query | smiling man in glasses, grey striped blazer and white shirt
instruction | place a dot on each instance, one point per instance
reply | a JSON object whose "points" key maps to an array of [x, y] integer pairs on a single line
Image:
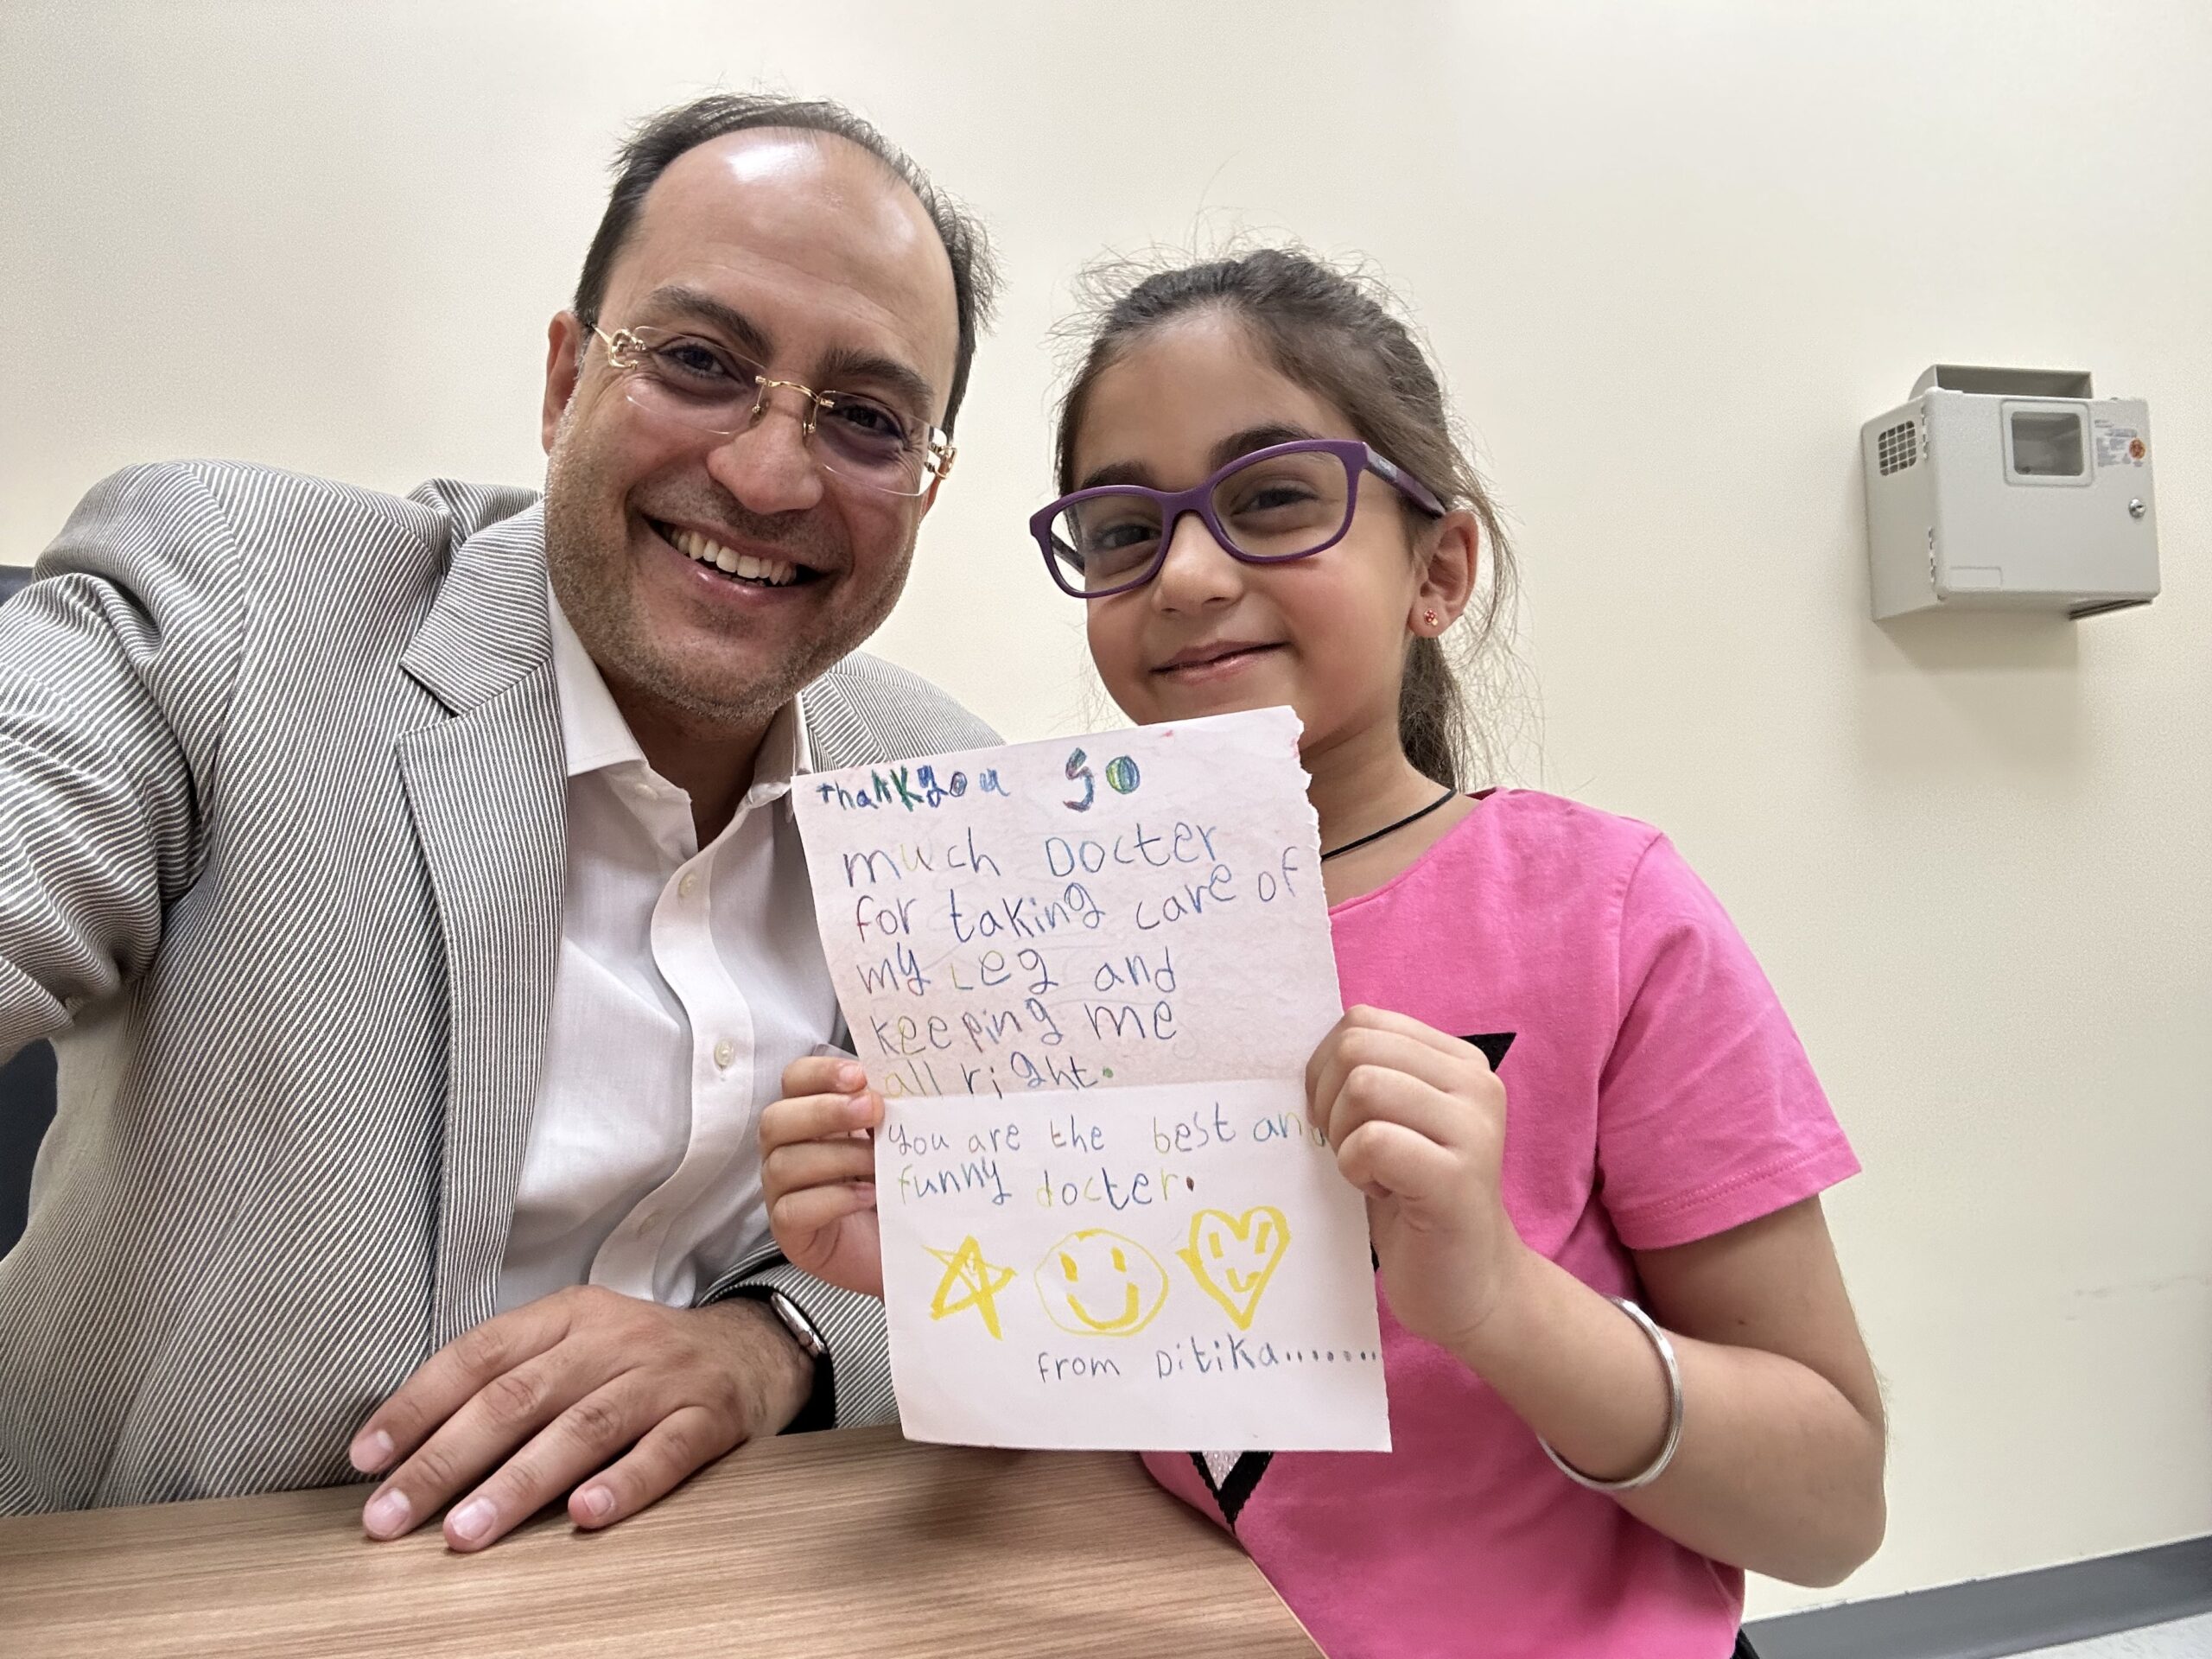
{"points": [[413, 895]]}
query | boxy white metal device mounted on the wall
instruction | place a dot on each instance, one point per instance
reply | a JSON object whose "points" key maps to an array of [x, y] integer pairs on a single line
{"points": [[2010, 490]]}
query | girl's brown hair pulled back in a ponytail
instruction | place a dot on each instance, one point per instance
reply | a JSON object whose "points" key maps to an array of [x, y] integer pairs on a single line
{"points": [[1337, 335]]}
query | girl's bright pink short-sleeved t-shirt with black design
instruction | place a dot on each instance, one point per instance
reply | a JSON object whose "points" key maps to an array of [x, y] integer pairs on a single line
{"points": [[1656, 1094]]}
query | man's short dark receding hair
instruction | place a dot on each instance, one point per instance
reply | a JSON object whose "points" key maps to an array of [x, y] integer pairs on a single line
{"points": [[662, 138]]}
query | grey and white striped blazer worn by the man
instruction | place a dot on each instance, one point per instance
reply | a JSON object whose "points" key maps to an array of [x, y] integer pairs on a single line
{"points": [[282, 839]]}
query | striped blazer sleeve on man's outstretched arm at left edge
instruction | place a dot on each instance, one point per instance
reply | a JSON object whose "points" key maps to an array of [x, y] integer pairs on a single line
{"points": [[116, 674]]}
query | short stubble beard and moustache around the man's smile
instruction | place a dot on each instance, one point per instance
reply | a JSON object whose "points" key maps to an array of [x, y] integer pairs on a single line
{"points": [[592, 578]]}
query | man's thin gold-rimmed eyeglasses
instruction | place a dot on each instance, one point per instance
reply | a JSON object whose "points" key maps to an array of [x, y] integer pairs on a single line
{"points": [[707, 386]]}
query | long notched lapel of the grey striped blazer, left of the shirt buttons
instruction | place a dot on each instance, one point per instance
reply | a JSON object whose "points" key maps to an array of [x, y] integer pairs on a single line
{"points": [[488, 793]]}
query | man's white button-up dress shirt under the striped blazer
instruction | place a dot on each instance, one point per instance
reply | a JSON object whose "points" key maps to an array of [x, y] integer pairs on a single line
{"points": [[689, 981]]}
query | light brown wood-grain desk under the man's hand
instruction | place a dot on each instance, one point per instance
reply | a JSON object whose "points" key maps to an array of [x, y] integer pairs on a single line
{"points": [[846, 1543]]}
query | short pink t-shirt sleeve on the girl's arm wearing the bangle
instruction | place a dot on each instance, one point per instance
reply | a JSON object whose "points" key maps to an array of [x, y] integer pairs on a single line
{"points": [[1709, 1114]]}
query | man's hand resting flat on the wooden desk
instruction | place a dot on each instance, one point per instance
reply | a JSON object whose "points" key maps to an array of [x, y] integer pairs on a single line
{"points": [[585, 1386]]}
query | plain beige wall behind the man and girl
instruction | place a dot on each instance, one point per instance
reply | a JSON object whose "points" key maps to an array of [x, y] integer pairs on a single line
{"points": [[1671, 255]]}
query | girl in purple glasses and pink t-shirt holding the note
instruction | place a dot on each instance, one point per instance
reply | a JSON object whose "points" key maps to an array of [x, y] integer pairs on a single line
{"points": [[1623, 1366]]}
